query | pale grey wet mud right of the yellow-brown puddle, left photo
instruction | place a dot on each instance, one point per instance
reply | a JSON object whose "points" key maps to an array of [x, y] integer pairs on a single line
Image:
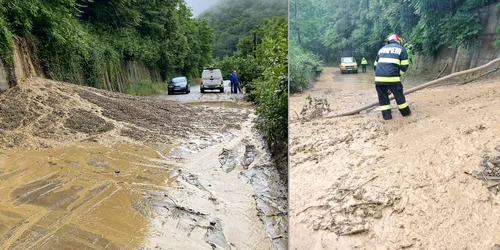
{"points": [[223, 193]]}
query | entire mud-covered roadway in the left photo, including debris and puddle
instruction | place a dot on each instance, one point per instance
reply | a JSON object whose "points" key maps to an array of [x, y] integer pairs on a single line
{"points": [[82, 168]]}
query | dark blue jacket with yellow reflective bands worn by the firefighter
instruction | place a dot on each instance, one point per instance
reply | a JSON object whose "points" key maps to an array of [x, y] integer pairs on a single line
{"points": [[390, 64]]}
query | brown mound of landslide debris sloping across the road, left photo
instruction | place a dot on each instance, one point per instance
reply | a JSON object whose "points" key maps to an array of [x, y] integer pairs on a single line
{"points": [[41, 113]]}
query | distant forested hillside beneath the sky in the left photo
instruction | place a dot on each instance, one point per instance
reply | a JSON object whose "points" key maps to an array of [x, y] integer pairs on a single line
{"points": [[232, 20]]}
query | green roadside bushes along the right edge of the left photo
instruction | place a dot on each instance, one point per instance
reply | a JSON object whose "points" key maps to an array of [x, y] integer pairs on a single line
{"points": [[263, 73]]}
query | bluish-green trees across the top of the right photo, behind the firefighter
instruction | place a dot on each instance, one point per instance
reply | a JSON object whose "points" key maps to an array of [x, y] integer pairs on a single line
{"points": [[326, 27]]}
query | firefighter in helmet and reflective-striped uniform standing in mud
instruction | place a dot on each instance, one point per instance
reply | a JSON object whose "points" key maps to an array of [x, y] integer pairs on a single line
{"points": [[390, 64]]}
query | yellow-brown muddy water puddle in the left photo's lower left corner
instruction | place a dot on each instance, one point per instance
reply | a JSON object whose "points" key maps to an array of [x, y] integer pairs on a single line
{"points": [[85, 196]]}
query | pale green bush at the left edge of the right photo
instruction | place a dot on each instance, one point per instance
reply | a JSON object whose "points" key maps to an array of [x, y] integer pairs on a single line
{"points": [[305, 67]]}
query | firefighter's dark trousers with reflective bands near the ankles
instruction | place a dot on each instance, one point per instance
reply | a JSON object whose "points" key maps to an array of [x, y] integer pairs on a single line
{"points": [[383, 99]]}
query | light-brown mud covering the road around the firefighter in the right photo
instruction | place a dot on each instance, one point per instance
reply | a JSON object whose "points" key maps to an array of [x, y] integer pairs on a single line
{"points": [[360, 182]]}
